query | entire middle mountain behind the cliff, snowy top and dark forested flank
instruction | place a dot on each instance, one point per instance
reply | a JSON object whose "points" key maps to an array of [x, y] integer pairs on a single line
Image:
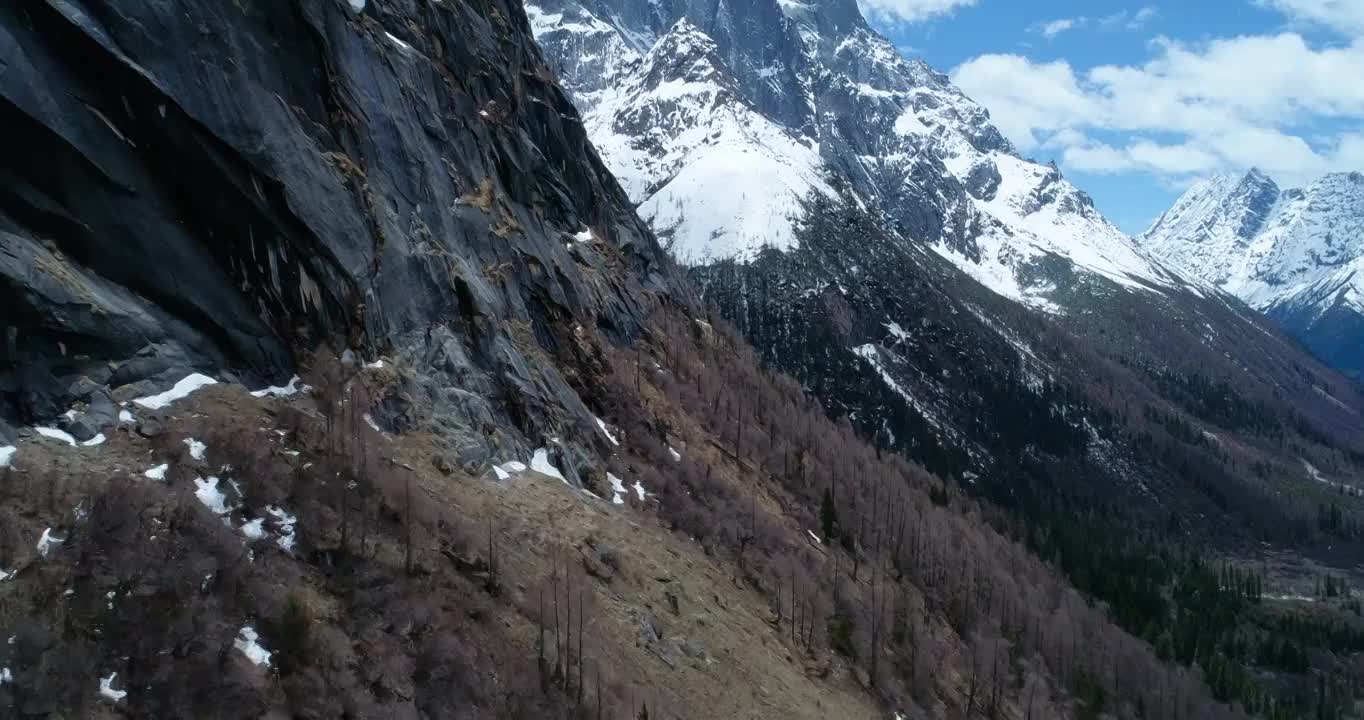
{"points": [[973, 312]]}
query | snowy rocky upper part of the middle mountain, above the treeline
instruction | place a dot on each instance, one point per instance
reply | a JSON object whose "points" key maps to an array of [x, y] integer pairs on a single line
{"points": [[724, 121]]}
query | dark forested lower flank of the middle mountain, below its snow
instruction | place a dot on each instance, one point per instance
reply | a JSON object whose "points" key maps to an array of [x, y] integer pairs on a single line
{"points": [[1138, 479]]}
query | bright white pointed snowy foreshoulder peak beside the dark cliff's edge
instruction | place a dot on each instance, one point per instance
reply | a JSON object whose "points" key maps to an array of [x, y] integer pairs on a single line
{"points": [[713, 175]]}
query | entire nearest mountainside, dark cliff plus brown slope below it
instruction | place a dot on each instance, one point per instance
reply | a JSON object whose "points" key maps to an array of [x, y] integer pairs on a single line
{"points": [[526, 421]]}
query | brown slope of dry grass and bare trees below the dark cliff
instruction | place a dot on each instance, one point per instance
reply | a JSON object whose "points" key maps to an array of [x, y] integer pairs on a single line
{"points": [[414, 592]]}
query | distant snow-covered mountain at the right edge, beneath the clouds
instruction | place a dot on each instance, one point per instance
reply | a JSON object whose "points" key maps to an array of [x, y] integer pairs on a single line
{"points": [[1292, 254]]}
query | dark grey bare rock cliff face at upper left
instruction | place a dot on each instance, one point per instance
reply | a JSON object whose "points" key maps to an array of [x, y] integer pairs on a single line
{"points": [[211, 186]]}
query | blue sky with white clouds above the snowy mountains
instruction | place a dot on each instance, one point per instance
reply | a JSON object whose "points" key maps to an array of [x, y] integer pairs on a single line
{"points": [[1136, 100]]}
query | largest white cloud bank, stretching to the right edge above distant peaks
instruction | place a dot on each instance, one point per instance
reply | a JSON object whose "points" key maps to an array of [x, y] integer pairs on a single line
{"points": [[1190, 110]]}
